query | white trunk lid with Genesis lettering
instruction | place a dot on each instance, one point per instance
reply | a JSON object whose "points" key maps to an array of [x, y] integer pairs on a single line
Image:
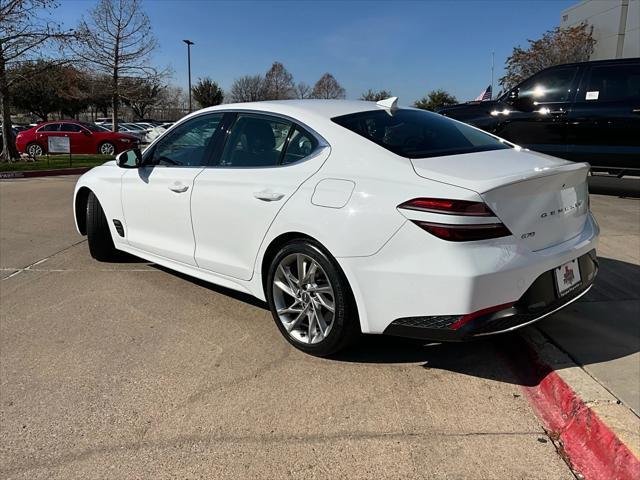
{"points": [[542, 200]]}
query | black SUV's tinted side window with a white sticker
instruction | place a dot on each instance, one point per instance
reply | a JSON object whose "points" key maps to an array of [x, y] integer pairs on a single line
{"points": [[613, 83]]}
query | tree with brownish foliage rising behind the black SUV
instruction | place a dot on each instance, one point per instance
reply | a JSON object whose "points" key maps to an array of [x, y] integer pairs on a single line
{"points": [[557, 46]]}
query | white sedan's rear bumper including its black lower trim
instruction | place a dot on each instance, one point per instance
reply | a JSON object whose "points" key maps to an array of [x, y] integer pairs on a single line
{"points": [[416, 275]]}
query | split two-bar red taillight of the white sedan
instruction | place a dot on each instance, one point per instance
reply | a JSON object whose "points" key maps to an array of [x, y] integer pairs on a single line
{"points": [[462, 232]]}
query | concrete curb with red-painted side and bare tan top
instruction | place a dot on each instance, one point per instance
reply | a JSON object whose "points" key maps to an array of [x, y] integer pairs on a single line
{"points": [[594, 432]]}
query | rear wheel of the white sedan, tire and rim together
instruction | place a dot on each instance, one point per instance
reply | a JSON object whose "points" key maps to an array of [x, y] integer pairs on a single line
{"points": [[310, 299]]}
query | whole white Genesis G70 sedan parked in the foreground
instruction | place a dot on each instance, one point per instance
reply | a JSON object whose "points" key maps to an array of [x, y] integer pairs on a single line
{"points": [[349, 217]]}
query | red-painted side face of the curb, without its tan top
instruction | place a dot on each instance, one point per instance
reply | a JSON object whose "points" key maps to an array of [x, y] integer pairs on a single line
{"points": [[592, 448]]}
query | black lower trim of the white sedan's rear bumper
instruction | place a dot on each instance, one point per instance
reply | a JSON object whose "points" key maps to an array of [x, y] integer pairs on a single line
{"points": [[538, 302]]}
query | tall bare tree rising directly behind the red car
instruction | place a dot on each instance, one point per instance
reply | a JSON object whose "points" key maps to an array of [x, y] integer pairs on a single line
{"points": [[117, 40]]}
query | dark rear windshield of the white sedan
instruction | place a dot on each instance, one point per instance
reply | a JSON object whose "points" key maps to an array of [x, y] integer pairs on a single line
{"points": [[418, 134]]}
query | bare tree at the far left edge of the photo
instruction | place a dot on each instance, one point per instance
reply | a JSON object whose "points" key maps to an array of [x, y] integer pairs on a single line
{"points": [[24, 34]]}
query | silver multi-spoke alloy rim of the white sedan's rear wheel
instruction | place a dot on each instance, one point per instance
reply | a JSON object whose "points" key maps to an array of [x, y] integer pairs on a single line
{"points": [[304, 298]]}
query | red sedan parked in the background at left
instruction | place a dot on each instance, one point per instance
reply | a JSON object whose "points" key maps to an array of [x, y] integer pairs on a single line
{"points": [[83, 138]]}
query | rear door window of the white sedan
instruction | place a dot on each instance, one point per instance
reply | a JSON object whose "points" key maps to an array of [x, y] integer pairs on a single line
{"points": [[255, 141]]}
